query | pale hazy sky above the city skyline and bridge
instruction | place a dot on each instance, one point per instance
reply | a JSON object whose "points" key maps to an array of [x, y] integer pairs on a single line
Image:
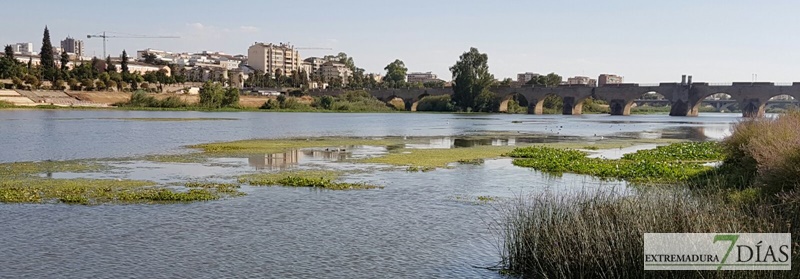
{"points": [[644, 41]]}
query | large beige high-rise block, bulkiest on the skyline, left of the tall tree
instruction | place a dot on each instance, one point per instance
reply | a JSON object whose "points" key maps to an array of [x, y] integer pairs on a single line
{"points": [[274, 59]]}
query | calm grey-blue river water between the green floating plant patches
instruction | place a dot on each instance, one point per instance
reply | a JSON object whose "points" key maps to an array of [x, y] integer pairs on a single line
{"points": [[420, 225]]}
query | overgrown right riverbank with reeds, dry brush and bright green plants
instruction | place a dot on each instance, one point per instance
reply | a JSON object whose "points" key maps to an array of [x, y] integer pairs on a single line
{"points": [[600, 235]]}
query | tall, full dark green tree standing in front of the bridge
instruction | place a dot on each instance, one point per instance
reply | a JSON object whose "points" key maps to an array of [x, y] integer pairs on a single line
{"points": [[471, 77]]}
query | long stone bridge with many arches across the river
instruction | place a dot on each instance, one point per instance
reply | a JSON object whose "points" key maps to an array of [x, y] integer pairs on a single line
{"points": [[684, 98]]}
